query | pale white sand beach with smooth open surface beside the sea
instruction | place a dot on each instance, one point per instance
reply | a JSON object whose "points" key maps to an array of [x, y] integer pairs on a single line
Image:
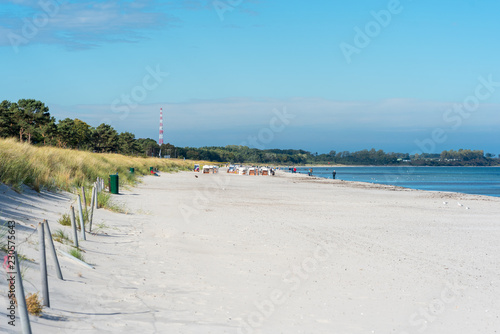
{"points": [[226, 253]]}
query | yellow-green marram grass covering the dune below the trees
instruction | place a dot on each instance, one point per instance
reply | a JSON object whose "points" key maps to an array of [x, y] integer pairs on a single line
{"points": [[55, 168]]}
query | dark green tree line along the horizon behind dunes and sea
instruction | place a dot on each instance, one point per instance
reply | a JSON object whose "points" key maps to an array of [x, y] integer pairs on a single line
{"points": [[30, 121]]}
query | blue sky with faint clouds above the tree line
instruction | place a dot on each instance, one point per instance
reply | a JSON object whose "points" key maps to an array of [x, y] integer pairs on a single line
{"points": [[405, 76]]}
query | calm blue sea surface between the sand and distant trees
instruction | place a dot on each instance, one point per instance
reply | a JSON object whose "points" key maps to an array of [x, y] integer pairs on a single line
{"points": [[469, 180]]}
